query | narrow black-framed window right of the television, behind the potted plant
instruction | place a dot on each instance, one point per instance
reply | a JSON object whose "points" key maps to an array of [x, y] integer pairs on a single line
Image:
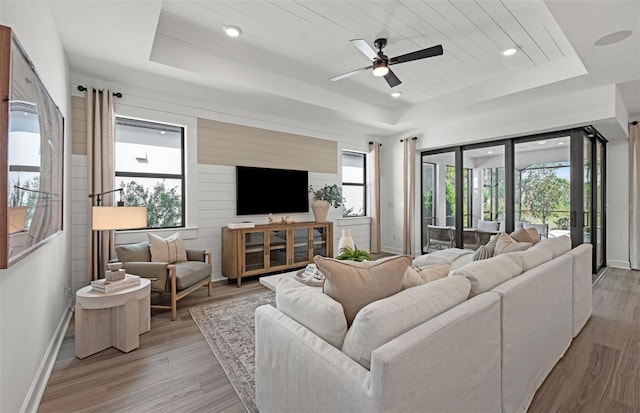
{"points": [[354, 188]]}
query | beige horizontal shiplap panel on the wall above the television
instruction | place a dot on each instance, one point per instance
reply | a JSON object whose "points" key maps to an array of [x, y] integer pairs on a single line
{"points": [[221, 143]]}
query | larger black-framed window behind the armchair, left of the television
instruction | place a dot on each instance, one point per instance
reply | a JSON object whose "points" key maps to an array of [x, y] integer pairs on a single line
{"points": [[149, 163]]}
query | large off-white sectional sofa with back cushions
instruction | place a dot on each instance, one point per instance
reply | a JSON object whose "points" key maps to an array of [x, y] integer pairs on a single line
{"points": [[481, 339]]}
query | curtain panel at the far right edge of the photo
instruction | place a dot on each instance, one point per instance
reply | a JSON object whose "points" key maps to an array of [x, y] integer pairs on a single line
{"points": [[634, 195]]}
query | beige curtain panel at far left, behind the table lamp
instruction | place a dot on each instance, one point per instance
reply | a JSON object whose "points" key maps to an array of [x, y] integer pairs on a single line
{"points": [[101, 174]]}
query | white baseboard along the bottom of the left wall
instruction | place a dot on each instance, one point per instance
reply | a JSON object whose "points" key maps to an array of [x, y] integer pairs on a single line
{"points": [[39, 383]]}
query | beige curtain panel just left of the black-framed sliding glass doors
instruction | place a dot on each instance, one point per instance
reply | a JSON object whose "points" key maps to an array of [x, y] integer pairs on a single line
{"points": [[409, 196]]}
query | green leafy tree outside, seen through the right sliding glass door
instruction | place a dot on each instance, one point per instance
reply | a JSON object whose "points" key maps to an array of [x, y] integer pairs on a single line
{"points": [[544, 195]]}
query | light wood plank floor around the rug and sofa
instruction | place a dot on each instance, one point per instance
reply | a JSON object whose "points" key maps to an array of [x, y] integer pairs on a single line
{"points": [[175, 371]]}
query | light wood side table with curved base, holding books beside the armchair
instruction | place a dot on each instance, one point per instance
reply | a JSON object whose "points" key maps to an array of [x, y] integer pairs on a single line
{"points": [[111, 320]]}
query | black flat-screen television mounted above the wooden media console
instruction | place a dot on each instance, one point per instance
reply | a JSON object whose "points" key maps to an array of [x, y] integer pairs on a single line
{"points": [[271, 191]]}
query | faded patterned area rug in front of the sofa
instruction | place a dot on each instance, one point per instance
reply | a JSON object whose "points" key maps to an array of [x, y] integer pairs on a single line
{"points": [[228, 327]]}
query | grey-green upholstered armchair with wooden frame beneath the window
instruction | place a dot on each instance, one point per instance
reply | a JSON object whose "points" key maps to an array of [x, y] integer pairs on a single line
{"points": [[177, 279]]}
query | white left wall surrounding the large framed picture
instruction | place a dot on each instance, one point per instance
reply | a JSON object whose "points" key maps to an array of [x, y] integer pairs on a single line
{"points": [[35, 293]]}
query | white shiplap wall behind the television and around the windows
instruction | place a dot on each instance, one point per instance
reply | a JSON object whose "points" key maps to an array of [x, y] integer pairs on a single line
{"points": [[210, 188]]}
